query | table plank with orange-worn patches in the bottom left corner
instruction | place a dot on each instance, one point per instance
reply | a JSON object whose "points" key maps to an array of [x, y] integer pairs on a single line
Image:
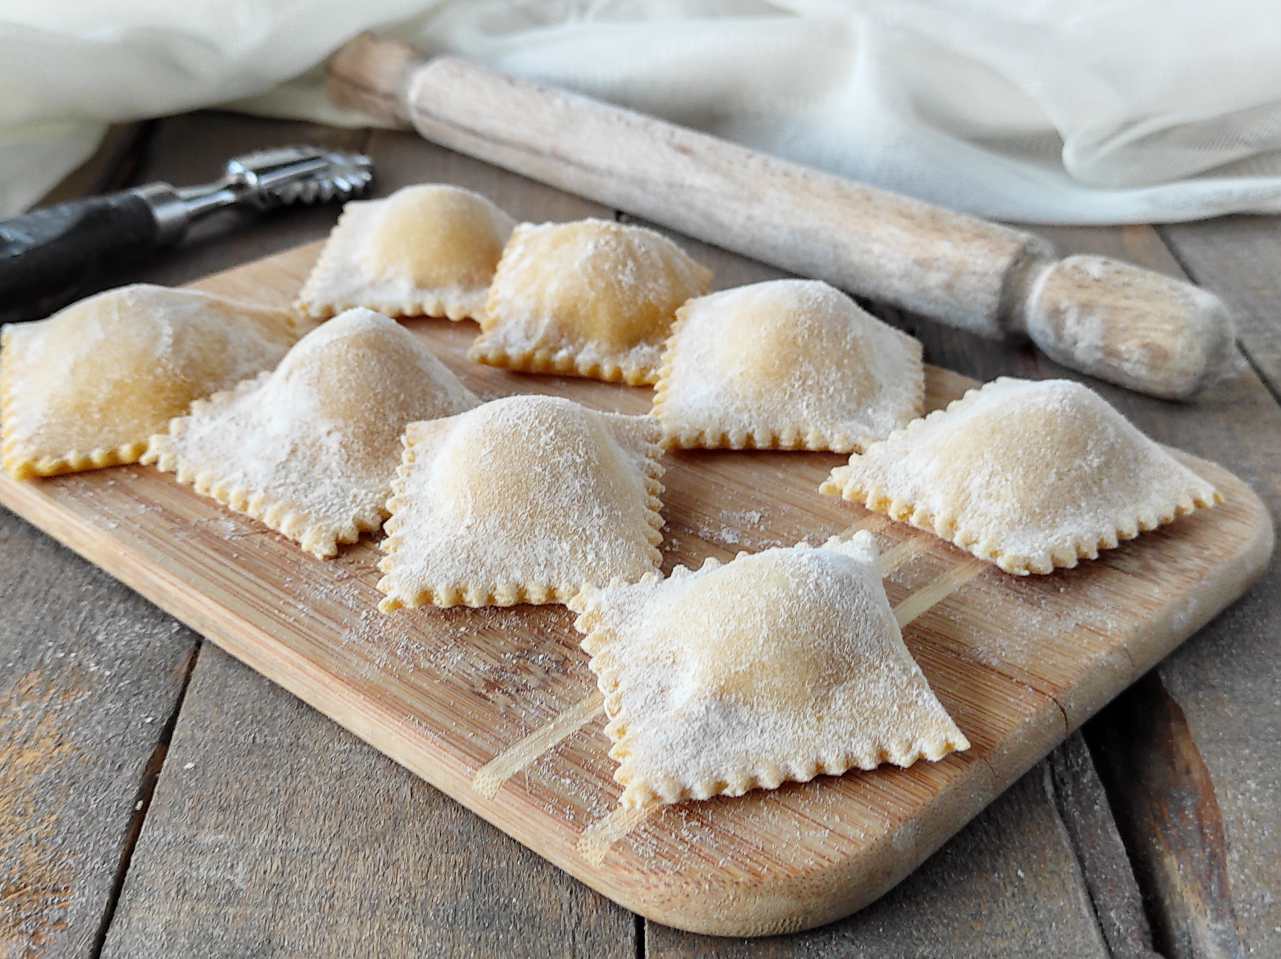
{"points": [[90, 677]]}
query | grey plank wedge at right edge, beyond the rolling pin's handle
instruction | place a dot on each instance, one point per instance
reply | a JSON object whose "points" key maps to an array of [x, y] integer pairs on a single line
{"points": [[1239, 258]]}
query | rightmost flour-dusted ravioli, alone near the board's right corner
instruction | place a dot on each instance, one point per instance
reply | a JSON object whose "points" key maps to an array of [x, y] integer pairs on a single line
{"points": [[1027, 476]]}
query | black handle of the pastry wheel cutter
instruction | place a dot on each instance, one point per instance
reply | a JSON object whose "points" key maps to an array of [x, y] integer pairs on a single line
{"points": [[52, 257]]}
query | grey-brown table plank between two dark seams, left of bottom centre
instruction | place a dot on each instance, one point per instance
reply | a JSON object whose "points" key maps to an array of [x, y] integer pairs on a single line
{"points": [[276, 833]]}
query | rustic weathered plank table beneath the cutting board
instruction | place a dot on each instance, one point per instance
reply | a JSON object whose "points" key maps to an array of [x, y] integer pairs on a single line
{"points": [[159, 800]]}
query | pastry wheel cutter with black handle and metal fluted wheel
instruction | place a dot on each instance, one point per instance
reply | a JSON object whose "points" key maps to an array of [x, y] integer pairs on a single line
{"points": [[51, 257]]}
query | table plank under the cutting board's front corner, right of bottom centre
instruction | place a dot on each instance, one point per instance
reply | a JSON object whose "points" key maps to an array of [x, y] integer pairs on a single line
{"points": [[1006, 887]]}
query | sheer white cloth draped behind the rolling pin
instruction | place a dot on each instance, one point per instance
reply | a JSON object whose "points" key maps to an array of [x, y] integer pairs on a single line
{"points": [[1096, 112]]}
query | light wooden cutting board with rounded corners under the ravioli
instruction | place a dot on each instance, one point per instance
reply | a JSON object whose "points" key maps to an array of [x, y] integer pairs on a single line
{"points": [[498, 707]]}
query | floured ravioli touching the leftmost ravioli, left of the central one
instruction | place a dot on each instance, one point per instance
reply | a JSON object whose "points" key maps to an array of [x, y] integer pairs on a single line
{"points": [[312, 447]]}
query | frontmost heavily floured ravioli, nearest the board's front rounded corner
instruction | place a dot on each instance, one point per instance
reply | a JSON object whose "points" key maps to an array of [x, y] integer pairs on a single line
{"points": [[778, 666]]}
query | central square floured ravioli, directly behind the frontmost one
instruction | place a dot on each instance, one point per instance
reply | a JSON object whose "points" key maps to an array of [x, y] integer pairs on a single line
{"points": [[523, 500]]}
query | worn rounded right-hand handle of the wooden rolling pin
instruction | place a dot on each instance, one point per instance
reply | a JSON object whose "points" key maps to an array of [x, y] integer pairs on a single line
{"points": [[1127, 326]]}
